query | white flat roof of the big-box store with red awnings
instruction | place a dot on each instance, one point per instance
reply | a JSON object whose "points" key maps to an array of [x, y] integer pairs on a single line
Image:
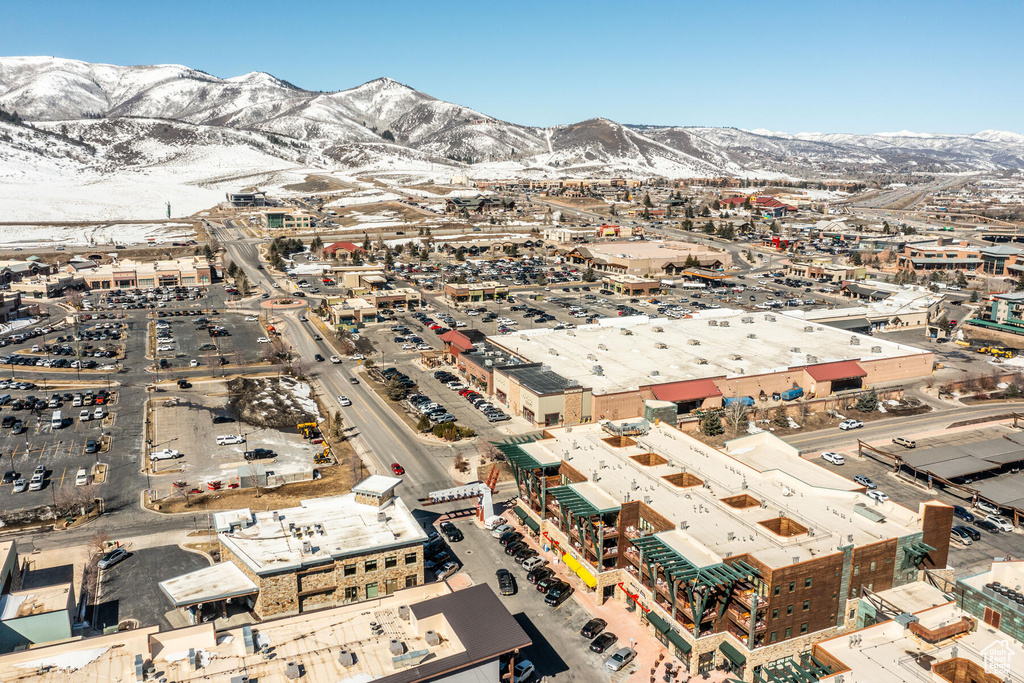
{"points": [[713, 344]]}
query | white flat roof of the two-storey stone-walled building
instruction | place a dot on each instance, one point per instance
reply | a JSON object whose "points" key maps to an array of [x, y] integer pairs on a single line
{"points": [[334, 528]]}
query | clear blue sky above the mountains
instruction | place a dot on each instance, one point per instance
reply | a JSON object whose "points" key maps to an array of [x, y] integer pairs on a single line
{"points": [[832, 67]]}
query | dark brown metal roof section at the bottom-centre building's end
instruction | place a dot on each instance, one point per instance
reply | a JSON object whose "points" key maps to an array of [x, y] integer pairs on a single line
{"points": [[482, 623]]}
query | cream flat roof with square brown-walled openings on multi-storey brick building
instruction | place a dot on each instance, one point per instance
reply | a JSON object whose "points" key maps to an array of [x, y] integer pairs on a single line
{"points": [[728, 503]]}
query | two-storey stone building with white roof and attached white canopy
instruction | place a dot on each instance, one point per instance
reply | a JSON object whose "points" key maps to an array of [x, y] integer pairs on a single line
{"points": [[328, 552]]}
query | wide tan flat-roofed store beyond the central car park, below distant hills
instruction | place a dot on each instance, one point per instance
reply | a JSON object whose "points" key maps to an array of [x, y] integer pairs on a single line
{"points": [[649, 259]]}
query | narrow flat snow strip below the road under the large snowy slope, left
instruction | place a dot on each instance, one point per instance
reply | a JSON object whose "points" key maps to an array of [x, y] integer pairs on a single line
{"points": [[119, 234]]}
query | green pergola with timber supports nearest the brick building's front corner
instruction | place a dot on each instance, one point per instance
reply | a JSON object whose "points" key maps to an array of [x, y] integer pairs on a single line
{"points": [[700, 584]]}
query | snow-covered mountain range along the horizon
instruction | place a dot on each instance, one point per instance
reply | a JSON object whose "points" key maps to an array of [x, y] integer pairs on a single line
{"points": [[105, 117]]}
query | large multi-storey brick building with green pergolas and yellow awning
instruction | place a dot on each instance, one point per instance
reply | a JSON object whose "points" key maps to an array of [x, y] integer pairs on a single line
{"points": [[737, 558]]}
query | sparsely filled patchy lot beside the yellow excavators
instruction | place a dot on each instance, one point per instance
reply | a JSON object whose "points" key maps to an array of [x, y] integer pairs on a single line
{"points": [[184, 421]]}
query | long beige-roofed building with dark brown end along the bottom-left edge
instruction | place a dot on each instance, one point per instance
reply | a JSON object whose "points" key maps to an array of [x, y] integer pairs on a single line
{"points": [[420, 635]]}
